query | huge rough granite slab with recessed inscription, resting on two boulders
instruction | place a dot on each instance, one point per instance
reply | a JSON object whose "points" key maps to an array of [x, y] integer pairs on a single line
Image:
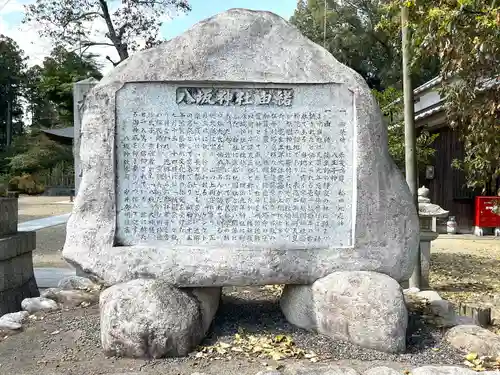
{"points": [[259, 50]]}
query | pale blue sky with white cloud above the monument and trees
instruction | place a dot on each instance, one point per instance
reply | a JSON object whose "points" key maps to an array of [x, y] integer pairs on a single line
{"points": [[11, 15]]}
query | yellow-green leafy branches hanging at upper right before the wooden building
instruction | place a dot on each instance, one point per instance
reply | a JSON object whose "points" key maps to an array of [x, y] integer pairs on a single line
{"points": [[465, 34]]}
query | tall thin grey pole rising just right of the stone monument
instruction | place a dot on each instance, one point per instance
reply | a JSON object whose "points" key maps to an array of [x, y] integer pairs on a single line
{"points": [[410, 139]]}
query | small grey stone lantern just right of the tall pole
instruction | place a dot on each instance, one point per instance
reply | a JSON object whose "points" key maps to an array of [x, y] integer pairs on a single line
{"points": [[428, 213]]}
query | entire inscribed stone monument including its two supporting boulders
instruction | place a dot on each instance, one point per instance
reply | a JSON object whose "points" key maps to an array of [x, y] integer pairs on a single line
{"points": [[239, 153]]}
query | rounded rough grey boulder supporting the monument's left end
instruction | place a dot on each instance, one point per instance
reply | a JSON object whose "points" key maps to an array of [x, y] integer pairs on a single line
{"points": [[149, 318]]}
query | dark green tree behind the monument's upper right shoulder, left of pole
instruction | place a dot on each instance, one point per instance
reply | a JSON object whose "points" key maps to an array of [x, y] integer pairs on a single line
{"points": [[353, 38]]}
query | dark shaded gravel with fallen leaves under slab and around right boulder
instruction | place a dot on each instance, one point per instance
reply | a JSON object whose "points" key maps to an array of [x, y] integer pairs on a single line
{"points": [[255, 311]]}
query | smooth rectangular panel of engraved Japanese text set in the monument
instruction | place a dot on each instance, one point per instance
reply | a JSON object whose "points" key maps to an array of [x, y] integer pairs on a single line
{"points": [[247, 165]]}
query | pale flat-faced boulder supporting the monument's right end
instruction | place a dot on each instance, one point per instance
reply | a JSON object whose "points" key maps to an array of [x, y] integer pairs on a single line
{"points": [[365, 308]]}
